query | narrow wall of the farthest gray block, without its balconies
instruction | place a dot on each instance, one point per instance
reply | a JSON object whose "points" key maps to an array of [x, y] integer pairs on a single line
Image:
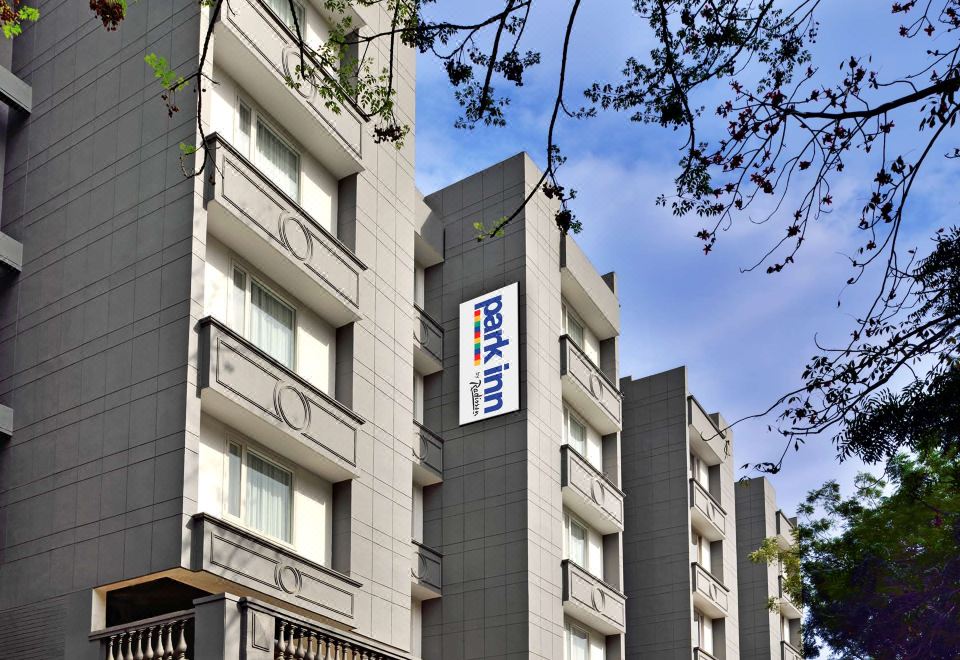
{"points": [[760, 632]]}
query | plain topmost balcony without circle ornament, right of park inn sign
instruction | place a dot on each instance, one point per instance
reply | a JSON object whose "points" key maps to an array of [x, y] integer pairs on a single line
{"points": [[587, 290]]}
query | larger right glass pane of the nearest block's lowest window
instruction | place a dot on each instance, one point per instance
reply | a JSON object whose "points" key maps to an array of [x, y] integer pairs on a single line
{"points": [[268, 498]]}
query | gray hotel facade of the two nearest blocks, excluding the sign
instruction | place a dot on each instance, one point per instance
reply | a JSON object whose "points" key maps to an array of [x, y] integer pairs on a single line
{"points": [[229, 422]]}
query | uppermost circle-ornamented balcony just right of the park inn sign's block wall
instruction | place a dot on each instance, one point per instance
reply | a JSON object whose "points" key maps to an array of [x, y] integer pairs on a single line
{"points": [[588, 389]]}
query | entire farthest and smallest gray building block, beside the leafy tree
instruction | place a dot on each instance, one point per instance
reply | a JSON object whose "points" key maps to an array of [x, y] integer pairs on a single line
{"points": [[765, 631]]}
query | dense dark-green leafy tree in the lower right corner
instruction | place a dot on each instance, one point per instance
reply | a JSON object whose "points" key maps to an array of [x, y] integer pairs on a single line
{"points": [[881, 569]]}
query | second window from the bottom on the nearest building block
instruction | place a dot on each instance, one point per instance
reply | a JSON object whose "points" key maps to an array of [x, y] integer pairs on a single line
{"points": [[263, 318]]}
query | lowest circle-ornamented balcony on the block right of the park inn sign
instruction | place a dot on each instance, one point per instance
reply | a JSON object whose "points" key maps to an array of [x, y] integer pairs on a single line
{"points": [[592, 601]]}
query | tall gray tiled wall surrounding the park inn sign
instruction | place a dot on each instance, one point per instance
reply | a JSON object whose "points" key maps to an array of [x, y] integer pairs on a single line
{"points": [[497, 516]]}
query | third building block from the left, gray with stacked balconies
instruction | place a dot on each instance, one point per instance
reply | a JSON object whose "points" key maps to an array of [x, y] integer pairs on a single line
{"points": [[680, 539]]}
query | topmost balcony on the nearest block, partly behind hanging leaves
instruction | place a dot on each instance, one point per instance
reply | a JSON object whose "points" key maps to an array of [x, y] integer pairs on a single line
{"points": [[259, 52]]}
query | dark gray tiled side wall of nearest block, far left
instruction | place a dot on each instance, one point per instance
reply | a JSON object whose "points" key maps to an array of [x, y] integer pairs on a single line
{"points": [[94, 331]]}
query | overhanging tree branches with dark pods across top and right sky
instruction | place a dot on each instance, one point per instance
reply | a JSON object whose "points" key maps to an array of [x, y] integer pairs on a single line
{"points": [[792, 129]]}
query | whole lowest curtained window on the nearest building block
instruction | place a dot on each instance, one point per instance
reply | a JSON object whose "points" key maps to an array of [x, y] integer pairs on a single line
{"points": [[259, 492]]}
